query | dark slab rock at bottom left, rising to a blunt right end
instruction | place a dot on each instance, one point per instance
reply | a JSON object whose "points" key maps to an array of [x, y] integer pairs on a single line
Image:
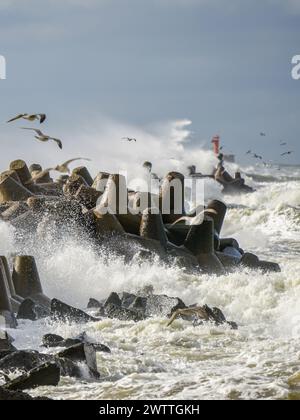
{"points": [[47, 374]]}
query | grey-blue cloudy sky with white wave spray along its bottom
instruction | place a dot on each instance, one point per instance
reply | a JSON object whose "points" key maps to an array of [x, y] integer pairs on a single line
{"points": [[152, 69]]}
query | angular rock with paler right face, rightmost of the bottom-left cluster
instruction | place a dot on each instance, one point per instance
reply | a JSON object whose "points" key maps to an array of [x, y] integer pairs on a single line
{"points": [[82, 353]]}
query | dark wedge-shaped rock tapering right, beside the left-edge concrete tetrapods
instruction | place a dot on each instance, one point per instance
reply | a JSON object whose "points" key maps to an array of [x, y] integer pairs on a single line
{"points": [[62, 311]]}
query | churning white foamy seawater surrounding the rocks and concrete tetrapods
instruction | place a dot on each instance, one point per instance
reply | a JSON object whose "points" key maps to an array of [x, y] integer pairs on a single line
{"points": [[149, 360]]}
